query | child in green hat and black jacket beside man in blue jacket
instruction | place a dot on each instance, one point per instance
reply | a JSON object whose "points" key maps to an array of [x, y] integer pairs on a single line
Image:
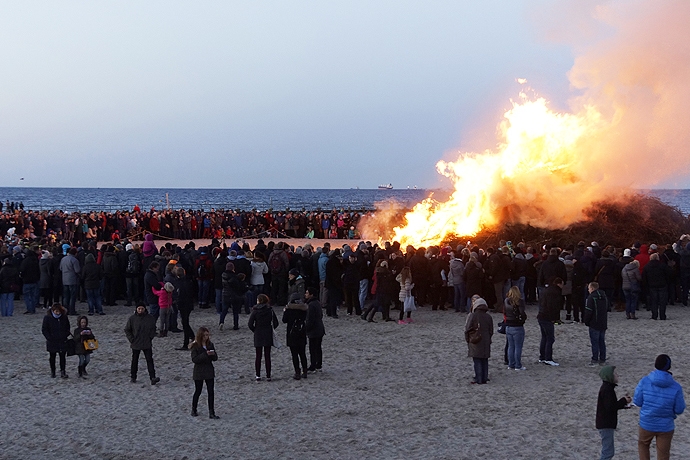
{"points": [[607, 410]]}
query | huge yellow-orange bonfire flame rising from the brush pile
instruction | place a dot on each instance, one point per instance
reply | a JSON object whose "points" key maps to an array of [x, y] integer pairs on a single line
{"points": [[538, 164]]}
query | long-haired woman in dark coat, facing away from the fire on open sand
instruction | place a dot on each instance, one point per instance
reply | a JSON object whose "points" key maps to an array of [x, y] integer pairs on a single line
{"points": [[203, 355]]}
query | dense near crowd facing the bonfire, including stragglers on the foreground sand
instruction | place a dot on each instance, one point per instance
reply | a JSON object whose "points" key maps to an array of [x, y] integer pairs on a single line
{"points": [[166, 282]]}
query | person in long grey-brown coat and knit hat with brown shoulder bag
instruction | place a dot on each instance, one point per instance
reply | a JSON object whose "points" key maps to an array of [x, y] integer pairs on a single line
{"points": [[480, 352]]}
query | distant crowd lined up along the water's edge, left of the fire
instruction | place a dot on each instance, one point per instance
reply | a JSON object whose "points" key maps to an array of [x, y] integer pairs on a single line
{"points": [[77, 227]]}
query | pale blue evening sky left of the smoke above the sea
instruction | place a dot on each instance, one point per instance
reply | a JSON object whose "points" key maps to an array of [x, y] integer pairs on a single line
{"points": [[224, 94]]}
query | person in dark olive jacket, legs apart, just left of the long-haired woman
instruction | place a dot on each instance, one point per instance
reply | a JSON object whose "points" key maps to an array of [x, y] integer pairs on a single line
{"points": [[140, 331]]}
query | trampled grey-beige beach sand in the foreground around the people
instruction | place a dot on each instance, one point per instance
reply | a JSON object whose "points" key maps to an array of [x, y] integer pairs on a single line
{"points": [[386, 391]]}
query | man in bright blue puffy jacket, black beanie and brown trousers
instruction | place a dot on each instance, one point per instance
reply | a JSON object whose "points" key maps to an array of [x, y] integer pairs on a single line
{"points": [[660, 399]]}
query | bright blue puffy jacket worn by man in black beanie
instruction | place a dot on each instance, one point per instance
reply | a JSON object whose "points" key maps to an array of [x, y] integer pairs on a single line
{"points": [[660, 399]]}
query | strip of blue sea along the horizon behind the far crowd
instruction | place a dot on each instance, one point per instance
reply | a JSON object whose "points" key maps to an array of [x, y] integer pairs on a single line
{"points": [[111, 199]]}
